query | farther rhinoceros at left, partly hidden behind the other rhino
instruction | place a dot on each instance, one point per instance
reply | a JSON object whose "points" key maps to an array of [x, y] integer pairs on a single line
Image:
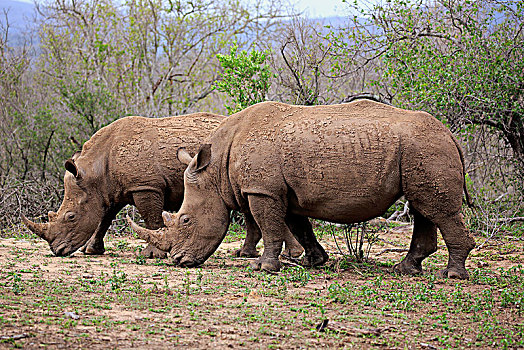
{"points": [[131, 161]]}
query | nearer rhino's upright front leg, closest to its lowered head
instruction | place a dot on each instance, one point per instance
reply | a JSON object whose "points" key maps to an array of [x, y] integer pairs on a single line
{"points": [[269, 215]]}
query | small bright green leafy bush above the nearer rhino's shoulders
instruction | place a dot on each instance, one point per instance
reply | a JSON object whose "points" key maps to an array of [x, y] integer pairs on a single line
{"points": [[245, 77]]}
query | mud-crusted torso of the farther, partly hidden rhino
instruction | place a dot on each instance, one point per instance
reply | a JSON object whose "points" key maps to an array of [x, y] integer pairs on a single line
{"points": [[140, 153]]}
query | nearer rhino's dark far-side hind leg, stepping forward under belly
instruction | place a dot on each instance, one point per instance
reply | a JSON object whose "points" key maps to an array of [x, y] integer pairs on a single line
{"points": [[423, 244]]}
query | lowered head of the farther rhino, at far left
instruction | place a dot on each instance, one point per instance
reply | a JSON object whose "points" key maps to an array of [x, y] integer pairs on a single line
{"points": [[79, 215]]}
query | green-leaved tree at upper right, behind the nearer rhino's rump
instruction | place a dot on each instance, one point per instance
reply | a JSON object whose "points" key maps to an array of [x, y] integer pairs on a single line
{"points": [[461, 60]]}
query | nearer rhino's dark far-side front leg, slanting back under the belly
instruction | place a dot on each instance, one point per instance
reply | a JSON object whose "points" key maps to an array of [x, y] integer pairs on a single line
{"points": [[303, 232]]}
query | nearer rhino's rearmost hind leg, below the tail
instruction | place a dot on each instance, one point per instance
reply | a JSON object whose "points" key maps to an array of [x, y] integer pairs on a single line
{"points": [[459, 243]]}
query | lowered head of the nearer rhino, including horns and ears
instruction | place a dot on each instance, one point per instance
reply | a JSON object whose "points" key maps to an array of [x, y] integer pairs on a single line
{"points": [[195, 232]]}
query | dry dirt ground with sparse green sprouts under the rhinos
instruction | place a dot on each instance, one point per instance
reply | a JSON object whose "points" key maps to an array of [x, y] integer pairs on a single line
{"points": [[120, 300]]}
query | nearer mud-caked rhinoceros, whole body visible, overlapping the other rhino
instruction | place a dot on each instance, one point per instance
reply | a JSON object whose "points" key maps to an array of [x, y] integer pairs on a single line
{"points": [[342, 163]]}
